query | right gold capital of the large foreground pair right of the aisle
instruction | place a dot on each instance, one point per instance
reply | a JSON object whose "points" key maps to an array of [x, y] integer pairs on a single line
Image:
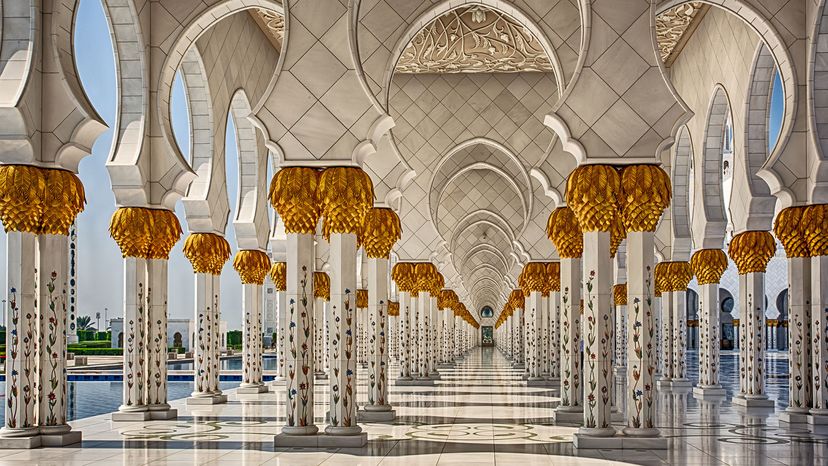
{"points": [[646, 192]]}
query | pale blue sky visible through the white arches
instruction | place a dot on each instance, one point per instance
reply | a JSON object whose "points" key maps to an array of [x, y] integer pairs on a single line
{"points": [[100, 281]]}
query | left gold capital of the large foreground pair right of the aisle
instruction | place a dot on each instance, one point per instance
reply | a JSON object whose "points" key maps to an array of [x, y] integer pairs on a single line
{"points": [[592, 192]]}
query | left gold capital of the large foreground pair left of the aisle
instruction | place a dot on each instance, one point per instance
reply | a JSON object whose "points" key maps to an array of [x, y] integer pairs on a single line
{"points": [[292, 194]]}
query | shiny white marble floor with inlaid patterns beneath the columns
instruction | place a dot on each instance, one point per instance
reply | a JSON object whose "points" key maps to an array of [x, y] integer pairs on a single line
{"points": [[479, 413]]}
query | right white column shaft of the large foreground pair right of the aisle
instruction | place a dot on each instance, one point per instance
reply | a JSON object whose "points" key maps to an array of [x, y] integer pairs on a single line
{"points": [[641, 339]]}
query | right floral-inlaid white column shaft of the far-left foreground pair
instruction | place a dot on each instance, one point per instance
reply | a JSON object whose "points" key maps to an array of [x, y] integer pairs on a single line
{"points": [[53, 278]]}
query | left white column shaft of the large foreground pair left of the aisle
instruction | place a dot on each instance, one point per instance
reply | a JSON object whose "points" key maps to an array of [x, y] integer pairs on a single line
{"points": [[299, 345]]}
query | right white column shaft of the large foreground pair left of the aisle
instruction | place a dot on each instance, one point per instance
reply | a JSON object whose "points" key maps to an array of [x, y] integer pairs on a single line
{"points": [[343, 376]]}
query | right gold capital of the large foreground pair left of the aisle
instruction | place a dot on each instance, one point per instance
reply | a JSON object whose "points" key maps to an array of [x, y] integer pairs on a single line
{"points": [[345, 195]]}
